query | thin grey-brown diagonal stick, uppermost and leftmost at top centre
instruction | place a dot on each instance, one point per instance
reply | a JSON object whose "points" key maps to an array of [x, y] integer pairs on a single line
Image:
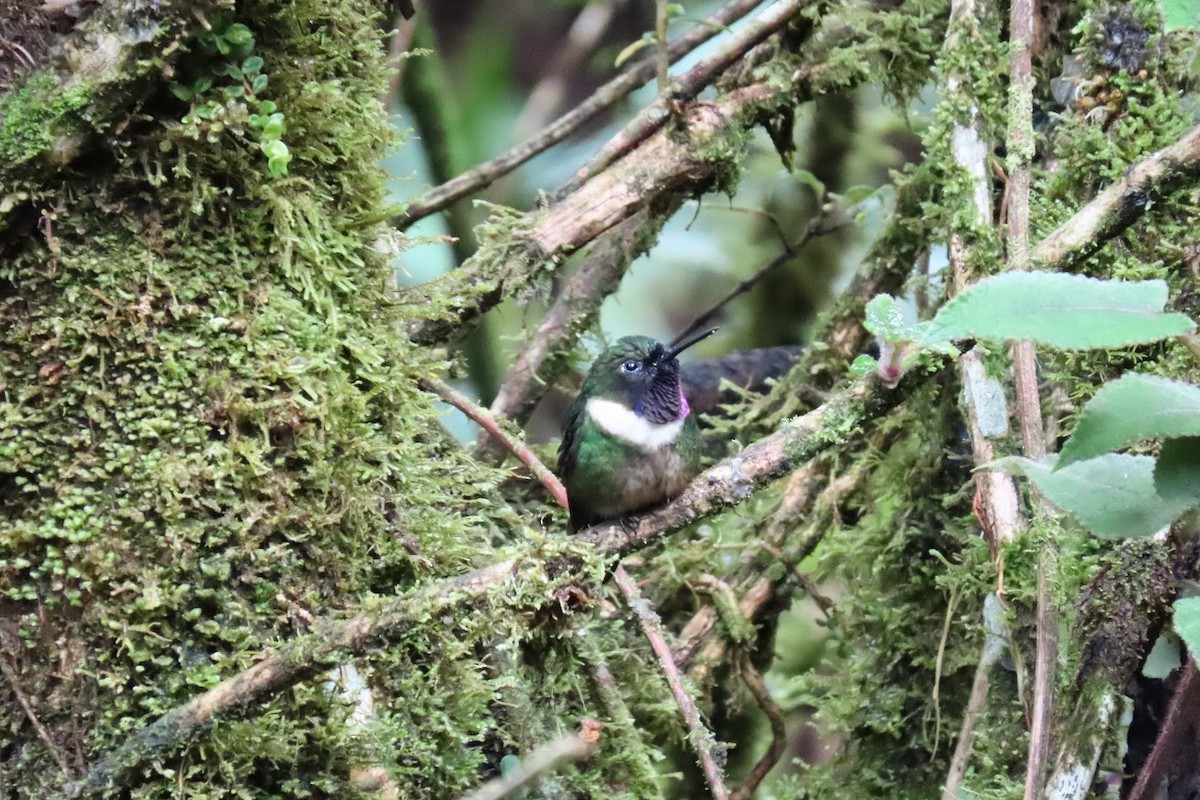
{"points": [[605, 98]]}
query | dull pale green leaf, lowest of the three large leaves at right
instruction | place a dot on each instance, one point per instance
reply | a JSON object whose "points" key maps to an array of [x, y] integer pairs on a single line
{"points": [[1113, 496]]}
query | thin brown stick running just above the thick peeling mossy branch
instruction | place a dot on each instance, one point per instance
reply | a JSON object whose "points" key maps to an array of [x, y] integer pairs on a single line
{"points": [[688, 87]]}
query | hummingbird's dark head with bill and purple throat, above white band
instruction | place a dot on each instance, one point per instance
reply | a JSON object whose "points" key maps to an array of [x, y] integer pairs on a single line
{"points": [[643, 375]]}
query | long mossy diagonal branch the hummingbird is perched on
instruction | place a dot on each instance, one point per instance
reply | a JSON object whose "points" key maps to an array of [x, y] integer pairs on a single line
{"points": [[724, 485]]}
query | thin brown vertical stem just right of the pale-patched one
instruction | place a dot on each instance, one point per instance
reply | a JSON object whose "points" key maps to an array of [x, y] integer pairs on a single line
{"points": [[1029, 405]]}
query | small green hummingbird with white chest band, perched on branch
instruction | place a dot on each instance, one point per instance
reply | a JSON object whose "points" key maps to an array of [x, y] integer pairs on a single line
{"points": [[629, 440]]}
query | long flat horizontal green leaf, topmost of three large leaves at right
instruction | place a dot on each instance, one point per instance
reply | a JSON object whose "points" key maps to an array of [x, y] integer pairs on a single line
{"points": [[1070, 312]]}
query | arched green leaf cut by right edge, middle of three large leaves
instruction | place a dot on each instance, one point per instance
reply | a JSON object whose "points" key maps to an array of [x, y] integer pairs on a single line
{"points": [[1131, 410]]}
